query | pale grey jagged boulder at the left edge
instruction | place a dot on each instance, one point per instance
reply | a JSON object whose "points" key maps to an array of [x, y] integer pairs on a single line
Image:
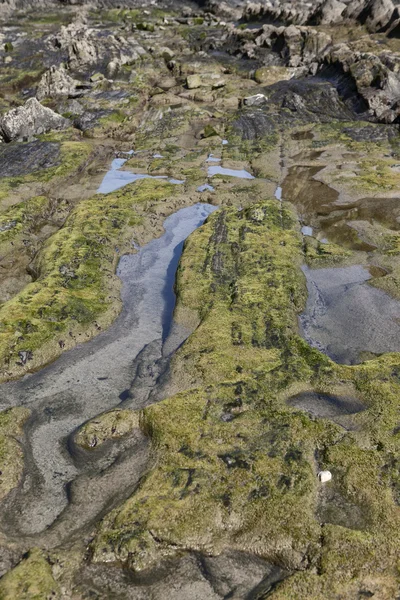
{"points": [[24, 122]]}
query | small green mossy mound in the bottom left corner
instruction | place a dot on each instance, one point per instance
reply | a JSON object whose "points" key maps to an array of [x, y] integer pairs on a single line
{"points": [[32, 579]]}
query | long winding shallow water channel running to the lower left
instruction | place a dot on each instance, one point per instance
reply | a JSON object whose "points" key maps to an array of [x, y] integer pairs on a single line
{"points": [[92, 378]]}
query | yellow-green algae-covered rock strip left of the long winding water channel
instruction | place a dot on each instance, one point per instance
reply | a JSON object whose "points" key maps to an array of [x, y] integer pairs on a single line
{"points": [[75, 285]]}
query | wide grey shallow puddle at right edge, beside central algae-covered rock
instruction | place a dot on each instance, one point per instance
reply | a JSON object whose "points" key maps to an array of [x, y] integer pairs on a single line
{"points": [[346, 317]]}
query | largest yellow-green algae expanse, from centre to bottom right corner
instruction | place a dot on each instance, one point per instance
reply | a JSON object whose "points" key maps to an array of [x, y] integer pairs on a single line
{"points": [[233, 465]]}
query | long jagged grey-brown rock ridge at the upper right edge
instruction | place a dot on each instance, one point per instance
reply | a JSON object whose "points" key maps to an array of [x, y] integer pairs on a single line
{"points": [[368, 81]]}
